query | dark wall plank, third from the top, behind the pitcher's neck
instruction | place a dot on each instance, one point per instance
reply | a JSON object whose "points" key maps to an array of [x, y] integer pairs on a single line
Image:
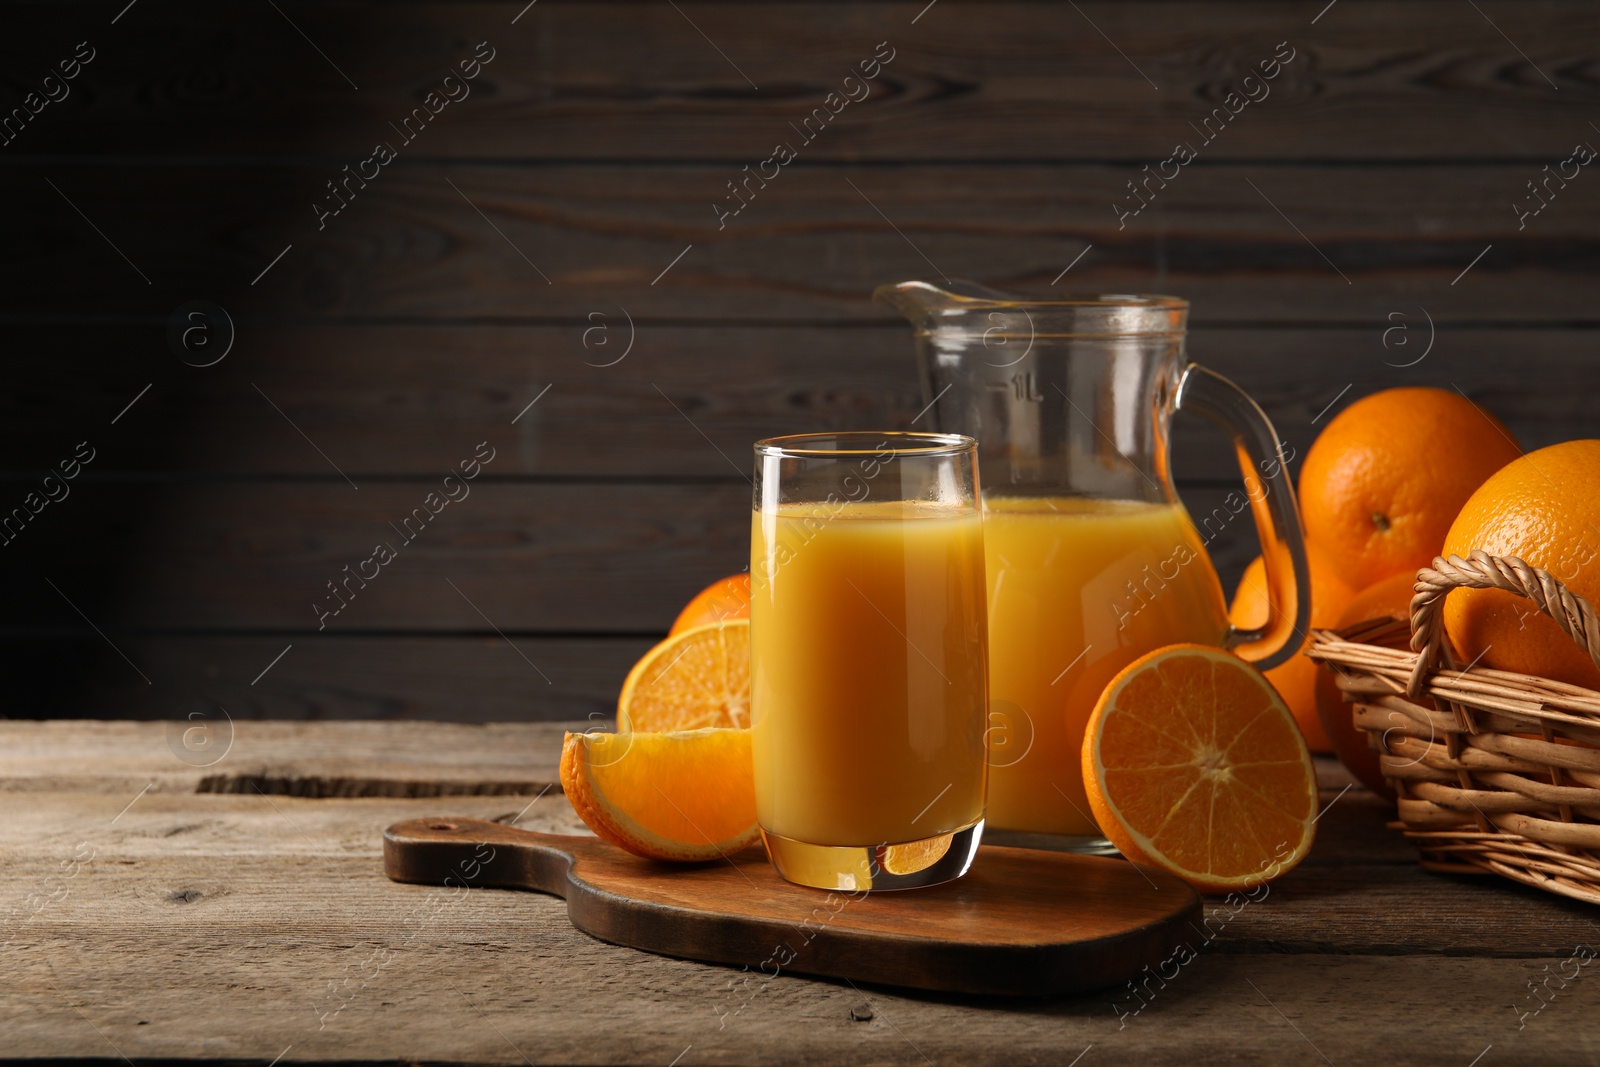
{"points": [[687, 402]]}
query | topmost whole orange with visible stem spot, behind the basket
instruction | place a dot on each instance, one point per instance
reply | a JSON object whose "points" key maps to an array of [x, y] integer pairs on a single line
{"points": [[1383, 482]]}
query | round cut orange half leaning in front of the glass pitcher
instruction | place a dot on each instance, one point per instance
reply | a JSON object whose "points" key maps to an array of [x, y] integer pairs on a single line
{"points": [[1194, 764]]}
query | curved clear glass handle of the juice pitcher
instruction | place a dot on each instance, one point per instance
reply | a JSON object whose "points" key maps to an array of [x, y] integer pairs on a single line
{"points": [[1273, 505]]}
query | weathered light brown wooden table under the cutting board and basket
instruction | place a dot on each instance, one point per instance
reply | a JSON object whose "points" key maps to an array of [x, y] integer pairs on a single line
{"points": [[156, 909]]}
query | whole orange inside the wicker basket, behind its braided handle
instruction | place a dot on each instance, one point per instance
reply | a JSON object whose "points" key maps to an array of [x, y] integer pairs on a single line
{"points": [[1543, 510]]}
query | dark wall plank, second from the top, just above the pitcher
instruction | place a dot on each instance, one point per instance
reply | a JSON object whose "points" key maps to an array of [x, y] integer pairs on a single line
{"points": [[562, 242]]}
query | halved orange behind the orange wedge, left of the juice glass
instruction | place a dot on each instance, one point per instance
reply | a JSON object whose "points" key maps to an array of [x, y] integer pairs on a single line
{"points": [[695, 679]]}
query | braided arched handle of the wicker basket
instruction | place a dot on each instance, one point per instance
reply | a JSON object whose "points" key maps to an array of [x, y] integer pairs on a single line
{"points": [[1482, 570]]}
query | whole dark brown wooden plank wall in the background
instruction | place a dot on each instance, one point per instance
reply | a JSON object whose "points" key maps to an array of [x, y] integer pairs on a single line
{"points": [[458, 286]]}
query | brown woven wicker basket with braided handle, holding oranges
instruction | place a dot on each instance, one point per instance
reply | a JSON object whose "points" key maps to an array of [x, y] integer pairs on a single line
{"points": [[1495, 772]]}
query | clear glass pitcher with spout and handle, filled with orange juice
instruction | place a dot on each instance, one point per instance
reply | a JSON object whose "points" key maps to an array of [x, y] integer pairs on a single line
{"points": [[1092, 559]]}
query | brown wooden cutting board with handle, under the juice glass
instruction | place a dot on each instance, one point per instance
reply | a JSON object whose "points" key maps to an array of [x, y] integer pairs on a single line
{"points": [[1022, 924]]}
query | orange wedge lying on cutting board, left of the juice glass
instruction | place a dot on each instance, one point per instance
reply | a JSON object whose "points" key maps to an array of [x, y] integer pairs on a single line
{"points": [[665, 796]]}
